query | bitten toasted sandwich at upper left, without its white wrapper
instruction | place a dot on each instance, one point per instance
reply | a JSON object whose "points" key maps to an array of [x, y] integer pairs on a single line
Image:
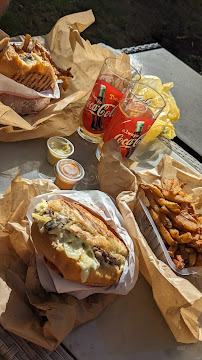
{"points": [[30, 64]]}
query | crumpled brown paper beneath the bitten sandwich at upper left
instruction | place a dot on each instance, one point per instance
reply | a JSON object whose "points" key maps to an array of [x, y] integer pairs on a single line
{"points": [[68, 49]]}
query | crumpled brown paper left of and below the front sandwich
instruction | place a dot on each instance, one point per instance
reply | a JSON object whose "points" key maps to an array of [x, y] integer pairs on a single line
{"points": [[26, 309]]}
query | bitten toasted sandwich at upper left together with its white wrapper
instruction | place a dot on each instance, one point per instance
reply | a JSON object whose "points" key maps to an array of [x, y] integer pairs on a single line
{"points": [[28, 76]]}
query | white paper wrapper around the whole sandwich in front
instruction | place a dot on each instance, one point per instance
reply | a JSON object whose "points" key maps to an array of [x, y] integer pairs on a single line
{"points": [[100, 203]]}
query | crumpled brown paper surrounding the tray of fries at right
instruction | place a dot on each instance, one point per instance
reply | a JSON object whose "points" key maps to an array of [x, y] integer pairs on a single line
{"points": [[178, 299]]}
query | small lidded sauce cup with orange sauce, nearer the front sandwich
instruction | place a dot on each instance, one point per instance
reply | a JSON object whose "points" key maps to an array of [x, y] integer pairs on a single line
{"points": [[68, 172]]}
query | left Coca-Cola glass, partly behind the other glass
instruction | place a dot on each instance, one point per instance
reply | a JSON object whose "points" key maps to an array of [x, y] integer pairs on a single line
{"points": [[113, 81]]}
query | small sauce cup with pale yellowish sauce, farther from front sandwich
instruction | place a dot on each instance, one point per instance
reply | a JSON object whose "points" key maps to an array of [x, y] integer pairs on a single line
{"points": [[58, 148]]}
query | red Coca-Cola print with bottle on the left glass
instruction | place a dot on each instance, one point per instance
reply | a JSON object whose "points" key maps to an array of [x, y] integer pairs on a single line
{"points": [[99, 110]]}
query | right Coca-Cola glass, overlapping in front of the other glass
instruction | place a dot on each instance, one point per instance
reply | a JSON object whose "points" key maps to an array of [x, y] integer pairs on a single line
{"points": [[137, 111]]}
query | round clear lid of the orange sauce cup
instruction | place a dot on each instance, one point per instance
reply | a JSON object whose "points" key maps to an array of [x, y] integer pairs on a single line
{"points": [[70, 170]]}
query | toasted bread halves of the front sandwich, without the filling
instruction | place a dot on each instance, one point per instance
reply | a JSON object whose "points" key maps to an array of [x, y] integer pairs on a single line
{"points": [[92, 231]]}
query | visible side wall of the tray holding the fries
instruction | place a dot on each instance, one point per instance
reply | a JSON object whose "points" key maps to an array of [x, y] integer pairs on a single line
{"points": [[154, 239]]}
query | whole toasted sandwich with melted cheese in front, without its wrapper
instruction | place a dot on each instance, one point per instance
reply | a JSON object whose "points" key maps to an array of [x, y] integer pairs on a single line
{"points": [[77, 244]]}
